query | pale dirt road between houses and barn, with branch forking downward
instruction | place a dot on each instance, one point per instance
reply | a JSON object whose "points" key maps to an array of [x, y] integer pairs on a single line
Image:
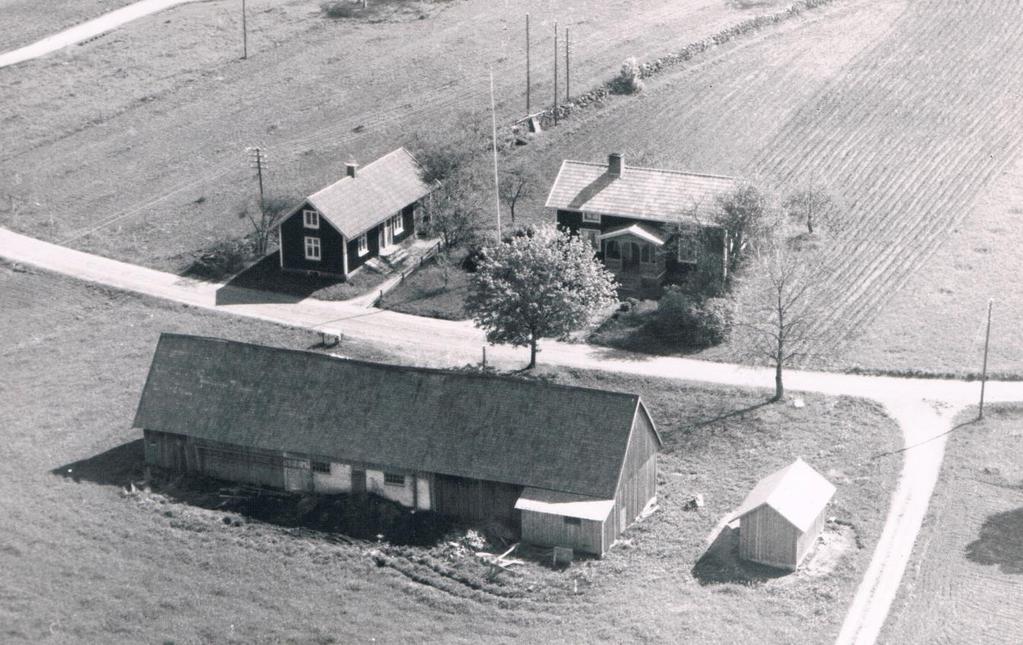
{"points": [[924, 408]]}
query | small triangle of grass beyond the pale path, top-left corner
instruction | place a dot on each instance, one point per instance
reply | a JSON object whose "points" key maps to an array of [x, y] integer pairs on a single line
{"points": [[25, 22]]}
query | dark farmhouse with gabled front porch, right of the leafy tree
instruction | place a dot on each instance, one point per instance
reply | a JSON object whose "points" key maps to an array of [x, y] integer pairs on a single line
{"points": [[649, 227]]}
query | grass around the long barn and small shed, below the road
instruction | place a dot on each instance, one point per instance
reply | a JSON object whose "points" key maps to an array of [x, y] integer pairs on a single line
{"points": [[80, 562]]}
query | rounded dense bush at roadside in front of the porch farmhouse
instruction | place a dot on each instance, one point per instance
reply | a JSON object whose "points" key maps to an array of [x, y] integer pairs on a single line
{"points": [[691, 321]]}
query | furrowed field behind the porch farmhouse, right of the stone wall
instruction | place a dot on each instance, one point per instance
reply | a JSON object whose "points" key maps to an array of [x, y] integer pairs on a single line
{"points": [[908, 112]]}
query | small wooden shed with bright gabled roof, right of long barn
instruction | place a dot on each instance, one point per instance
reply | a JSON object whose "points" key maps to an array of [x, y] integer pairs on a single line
{"points": [[783, 517]]}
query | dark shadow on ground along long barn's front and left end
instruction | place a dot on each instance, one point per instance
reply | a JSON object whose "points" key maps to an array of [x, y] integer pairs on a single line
{"points": [[346, 517]]}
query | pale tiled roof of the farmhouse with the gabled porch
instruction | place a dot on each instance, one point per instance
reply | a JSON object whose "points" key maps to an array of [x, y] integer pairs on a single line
{"points": [[640, 193]]}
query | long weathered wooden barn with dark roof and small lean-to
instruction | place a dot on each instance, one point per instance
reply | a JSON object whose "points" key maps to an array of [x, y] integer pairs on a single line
{"points": [[565, 466]]}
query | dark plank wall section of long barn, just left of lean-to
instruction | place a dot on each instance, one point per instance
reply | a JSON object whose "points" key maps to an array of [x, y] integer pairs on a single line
{"points": [[476, 500]]}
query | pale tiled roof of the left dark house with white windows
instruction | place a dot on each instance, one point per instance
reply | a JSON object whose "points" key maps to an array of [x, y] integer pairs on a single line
{"points": [[354, 205]]}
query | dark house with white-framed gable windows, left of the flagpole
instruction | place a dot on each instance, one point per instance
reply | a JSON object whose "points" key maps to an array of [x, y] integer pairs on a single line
{"points": [[365, 216]]}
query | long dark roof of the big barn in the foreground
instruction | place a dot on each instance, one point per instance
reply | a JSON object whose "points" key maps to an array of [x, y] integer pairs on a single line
{"points": [[500, 429]]}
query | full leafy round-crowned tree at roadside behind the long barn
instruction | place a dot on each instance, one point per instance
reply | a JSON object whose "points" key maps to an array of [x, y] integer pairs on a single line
{"points": [[544, 284]]}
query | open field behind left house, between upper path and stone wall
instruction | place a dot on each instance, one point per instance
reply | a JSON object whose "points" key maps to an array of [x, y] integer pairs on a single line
{"points": [[135, 147]]}
